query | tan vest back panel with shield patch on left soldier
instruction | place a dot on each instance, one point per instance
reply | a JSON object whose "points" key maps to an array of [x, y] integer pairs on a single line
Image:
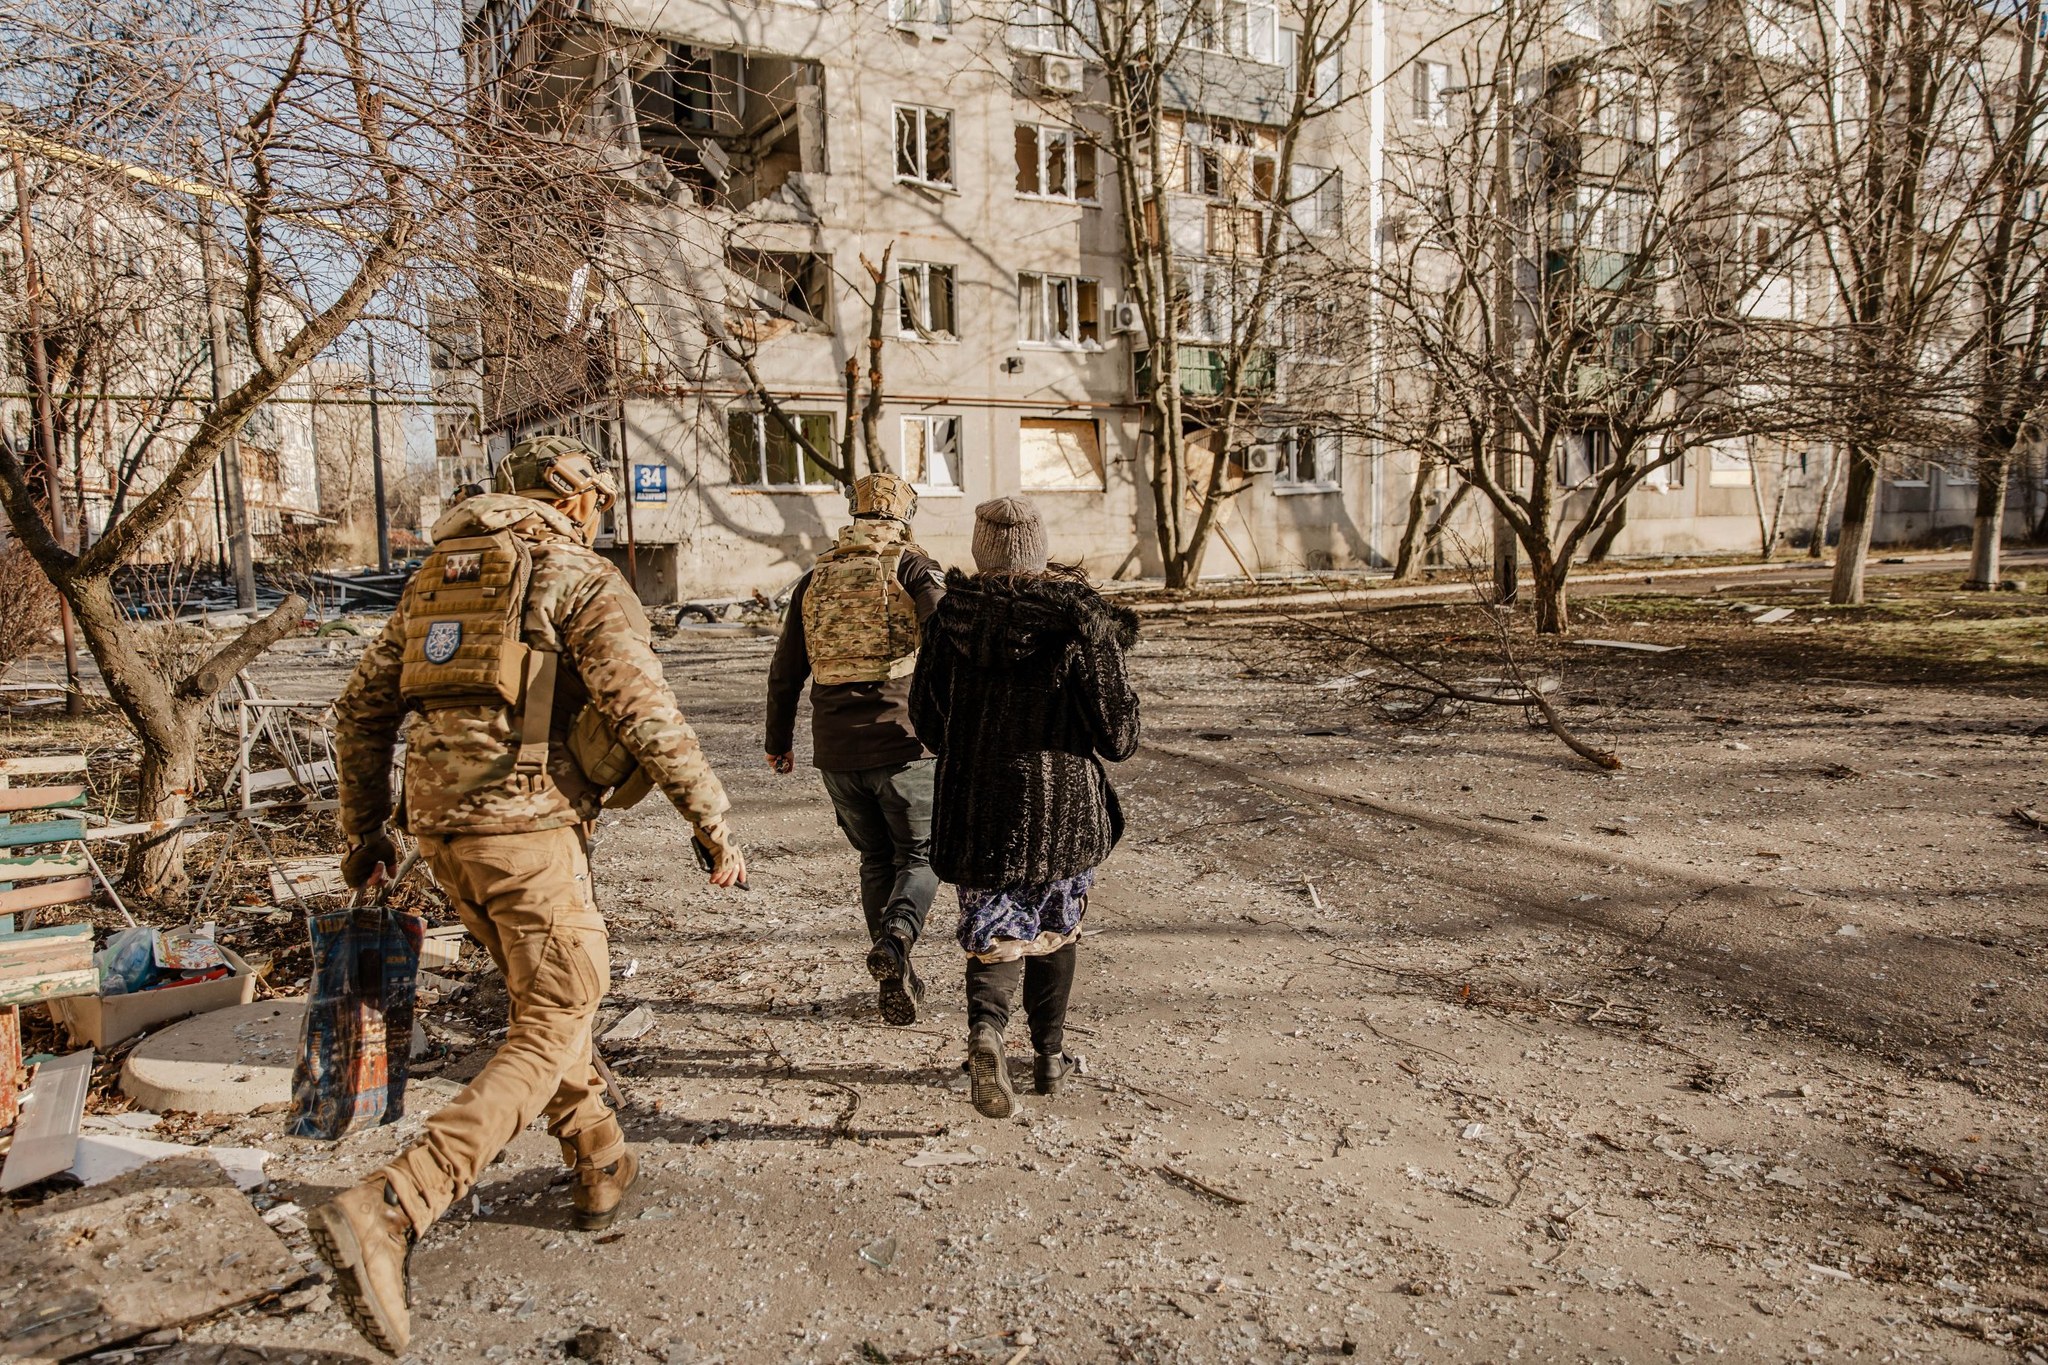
{"points": [[464, 623]]}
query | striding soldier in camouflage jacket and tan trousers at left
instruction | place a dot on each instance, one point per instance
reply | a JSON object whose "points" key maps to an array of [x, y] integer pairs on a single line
{"points": [[505, 813]]}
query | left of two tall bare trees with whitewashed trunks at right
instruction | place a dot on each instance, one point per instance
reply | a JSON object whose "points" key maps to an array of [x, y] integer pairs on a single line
{"points": [[1895, 179]]}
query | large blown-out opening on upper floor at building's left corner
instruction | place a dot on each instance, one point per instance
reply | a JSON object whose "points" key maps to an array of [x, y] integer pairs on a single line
{"points": [[732, 128]]}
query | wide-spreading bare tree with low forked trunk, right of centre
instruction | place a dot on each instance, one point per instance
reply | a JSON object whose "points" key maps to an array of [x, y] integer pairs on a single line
{"points": [[1570, 306]]}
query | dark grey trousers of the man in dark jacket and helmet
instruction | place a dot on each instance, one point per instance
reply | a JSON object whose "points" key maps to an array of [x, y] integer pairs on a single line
{"points": [[888, 818]]}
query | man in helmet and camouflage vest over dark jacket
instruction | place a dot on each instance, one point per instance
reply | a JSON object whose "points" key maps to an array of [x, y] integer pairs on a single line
{"points": [[853, 629]]}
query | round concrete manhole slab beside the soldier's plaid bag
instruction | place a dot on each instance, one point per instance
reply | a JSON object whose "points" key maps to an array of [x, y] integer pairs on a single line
{"points": [[232, 1061]]}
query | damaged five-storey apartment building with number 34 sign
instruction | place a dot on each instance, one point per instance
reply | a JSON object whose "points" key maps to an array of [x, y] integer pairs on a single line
{"points": [[775, 155]]}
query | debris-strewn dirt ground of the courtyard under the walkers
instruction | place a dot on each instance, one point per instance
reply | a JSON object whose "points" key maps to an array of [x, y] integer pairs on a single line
{"points": [[1414, 1043]]}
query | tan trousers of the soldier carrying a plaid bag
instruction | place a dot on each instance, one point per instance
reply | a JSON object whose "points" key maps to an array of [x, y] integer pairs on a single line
{"points": [[527, 899]]}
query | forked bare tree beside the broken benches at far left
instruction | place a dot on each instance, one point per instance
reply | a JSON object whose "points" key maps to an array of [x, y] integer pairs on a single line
{"points": [[314, 150]]}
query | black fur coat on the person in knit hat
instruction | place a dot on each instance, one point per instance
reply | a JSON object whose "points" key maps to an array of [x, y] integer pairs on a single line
{"points": [[1023, 693]]}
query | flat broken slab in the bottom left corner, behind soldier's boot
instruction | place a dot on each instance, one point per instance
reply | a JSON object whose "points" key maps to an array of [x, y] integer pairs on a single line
{"points": [[159, 1247]]}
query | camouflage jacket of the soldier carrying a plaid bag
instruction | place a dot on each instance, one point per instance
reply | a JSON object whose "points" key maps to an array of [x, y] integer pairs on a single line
{"points": [[460, 758]]}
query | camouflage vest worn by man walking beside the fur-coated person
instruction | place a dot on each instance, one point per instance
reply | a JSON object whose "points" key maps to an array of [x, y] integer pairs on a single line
{"points": [[859, 623]]}
